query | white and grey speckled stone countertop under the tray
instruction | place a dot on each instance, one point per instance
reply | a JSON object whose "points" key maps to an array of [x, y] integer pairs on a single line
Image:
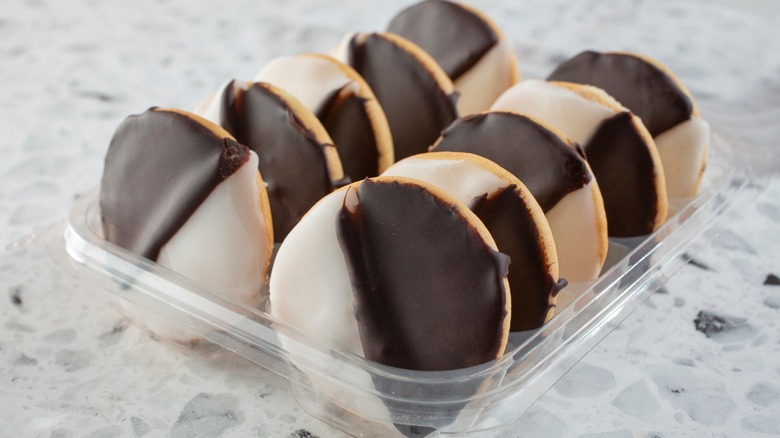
{"points": [[700, 358]]}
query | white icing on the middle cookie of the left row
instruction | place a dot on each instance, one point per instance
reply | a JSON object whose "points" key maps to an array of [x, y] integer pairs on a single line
{"points": [[310, 79]]}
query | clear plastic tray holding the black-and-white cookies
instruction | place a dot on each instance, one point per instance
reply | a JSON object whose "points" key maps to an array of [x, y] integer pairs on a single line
{"points": [[367, 399]]}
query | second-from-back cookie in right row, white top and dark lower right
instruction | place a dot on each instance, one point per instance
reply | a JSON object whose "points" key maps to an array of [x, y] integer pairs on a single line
{"points": [[619, 149]]}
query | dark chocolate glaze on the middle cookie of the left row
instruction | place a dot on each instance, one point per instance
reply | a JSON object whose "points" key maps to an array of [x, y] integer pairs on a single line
{"points": [[345, 118]]}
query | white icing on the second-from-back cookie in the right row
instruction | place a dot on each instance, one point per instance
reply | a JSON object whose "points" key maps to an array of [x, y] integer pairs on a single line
{"points": [[562, 108]]}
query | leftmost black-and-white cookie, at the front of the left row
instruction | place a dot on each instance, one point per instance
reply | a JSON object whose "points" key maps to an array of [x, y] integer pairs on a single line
{"points": [[179, 190]]}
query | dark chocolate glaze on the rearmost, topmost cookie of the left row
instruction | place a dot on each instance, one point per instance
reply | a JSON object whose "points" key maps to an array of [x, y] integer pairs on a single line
{"points": [[454, 36]]}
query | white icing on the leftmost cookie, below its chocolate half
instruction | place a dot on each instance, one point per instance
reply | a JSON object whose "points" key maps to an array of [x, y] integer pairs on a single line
{"points": [[223, 246]]}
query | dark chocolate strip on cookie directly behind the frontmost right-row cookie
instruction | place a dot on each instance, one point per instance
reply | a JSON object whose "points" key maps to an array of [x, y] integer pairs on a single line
{"points": [[516, 234]]}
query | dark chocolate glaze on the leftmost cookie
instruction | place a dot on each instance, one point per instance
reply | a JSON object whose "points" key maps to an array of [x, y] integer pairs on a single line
{"points": [[159, 169]]}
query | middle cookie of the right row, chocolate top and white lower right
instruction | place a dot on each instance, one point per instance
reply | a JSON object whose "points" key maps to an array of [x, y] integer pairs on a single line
{"points": [[551, 166]]}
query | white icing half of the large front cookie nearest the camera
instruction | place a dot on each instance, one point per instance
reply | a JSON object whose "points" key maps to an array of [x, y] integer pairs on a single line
{"points": [[311, 291]]}
